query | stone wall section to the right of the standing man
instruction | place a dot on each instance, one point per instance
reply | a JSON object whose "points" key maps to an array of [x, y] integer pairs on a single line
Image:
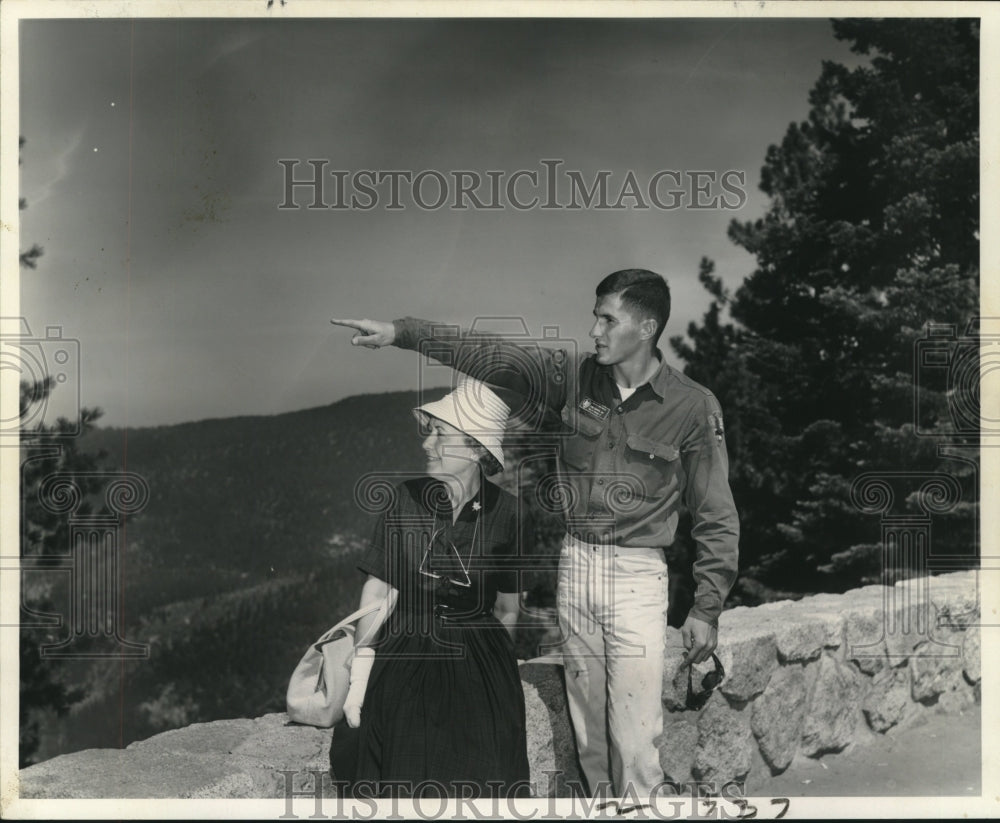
{"points": [[817, 675]]}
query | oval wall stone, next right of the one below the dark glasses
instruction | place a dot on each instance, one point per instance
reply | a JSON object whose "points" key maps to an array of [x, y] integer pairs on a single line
{"points": [[777, 716]]}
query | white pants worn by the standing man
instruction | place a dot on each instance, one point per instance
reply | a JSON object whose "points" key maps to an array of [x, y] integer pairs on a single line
{"points": [[612, 605]]}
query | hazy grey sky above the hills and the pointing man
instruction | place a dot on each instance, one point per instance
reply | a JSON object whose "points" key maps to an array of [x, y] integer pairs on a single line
{"points": [[152, 181]]}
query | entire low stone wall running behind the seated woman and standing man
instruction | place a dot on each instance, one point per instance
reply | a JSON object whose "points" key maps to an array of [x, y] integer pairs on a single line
{"points": [[803, 679]]}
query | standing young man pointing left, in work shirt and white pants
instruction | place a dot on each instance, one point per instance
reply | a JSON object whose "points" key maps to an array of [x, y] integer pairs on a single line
{"points": [[641, 440]]}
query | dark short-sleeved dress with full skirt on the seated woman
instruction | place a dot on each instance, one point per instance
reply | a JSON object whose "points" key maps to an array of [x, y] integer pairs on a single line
{"points": [[444, 704]]}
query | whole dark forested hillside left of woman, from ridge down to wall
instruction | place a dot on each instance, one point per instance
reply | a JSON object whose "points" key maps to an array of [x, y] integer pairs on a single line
{"points": [[244, 554]]}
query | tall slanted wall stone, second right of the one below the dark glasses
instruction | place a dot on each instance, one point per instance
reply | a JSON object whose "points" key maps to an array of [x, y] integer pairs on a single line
{"points": [[832, 714]]}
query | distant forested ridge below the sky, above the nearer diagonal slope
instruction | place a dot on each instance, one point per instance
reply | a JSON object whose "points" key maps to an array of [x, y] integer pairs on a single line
{"points": [[240, 501]]}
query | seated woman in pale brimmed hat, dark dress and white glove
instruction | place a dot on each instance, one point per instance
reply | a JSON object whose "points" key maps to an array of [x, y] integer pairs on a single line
{"points": [[436, 704]]}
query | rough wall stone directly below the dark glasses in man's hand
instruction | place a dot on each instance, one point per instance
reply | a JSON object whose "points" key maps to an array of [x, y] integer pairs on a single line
{"points": [[725, 743]]}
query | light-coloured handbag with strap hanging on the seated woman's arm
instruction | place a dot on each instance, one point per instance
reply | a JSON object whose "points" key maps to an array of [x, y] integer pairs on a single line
{"points": [[319, 684]]}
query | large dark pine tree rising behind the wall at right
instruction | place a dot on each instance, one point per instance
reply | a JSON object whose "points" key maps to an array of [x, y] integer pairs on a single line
{"points": [[871, 234]]}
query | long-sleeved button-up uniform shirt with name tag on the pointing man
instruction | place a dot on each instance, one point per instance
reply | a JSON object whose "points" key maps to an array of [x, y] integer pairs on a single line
{"points": [[627, 465]]}
